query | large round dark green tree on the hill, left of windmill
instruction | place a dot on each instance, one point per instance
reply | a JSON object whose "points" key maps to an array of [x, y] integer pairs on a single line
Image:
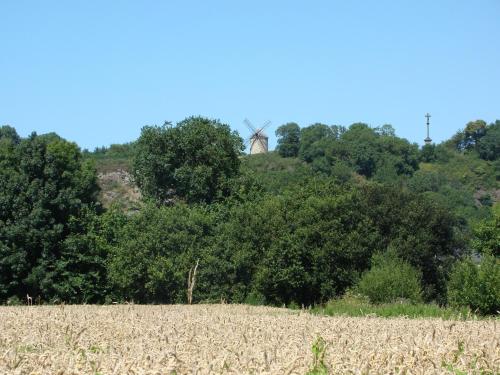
{"points": [[193, 161]]}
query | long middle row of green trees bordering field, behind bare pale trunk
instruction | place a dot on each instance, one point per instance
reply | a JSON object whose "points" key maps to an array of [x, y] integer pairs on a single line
{"points": [[305, 245]]}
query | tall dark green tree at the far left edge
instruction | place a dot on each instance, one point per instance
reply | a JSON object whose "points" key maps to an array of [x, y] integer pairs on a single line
{"points": [[45, 187]]}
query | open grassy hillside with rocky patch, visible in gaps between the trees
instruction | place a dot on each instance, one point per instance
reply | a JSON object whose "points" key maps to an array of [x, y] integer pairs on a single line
{"points": [[466, 183]]}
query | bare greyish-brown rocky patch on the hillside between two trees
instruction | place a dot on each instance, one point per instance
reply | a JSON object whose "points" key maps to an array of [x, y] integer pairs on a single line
{"points": [[118, 187]]}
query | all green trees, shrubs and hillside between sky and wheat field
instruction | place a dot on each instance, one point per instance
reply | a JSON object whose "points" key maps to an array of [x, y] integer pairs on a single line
{"points": [[334, 209]]}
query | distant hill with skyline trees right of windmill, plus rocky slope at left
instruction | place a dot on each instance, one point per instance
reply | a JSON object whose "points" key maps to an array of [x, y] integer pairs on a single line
{"points": [[454, 172]]}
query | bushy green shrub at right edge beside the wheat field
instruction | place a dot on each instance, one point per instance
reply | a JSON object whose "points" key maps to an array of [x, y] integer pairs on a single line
{"points": [[476, 285]]}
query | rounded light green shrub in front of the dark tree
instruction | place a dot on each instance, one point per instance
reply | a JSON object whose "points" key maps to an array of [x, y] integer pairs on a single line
{"points": [[390, 279]]}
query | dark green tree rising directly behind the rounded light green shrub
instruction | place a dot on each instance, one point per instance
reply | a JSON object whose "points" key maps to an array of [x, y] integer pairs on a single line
{"points": [[421, 231]]}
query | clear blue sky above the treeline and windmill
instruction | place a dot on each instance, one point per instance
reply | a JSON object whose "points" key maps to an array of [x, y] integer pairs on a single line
{"points": [[95, 72]]}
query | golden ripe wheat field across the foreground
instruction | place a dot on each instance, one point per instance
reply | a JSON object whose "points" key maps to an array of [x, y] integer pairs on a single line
{"points": [[214, 339]]}
